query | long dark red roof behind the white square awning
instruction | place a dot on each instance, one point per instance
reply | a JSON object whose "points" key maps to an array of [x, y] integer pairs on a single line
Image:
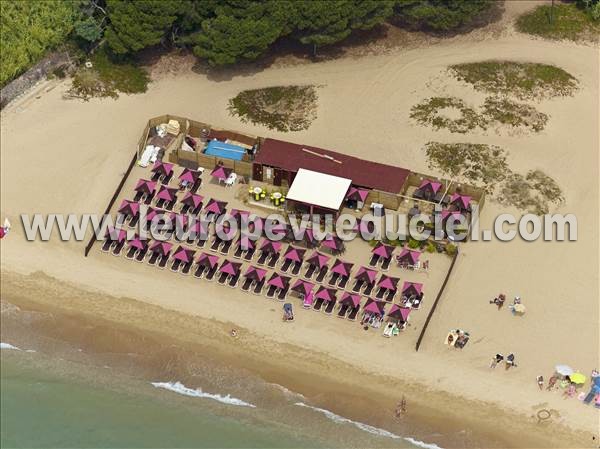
{"points": [[291, 157]]}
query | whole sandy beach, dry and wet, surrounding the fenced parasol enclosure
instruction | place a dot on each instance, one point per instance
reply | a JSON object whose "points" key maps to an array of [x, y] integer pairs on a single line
{"points": [[66, 156]]}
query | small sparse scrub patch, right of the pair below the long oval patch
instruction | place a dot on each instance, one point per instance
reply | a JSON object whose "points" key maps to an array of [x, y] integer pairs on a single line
{"points": [[507, 112]]}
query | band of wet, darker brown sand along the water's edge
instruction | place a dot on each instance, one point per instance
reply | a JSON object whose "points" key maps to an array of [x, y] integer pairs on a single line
{"points": [[278, 364]]}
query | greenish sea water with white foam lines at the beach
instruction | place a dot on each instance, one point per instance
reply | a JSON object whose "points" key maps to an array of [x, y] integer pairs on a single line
{"points": [[42, 407]]}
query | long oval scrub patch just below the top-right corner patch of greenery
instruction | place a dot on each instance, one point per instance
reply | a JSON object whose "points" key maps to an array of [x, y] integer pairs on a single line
{"points": [[523, 80]]}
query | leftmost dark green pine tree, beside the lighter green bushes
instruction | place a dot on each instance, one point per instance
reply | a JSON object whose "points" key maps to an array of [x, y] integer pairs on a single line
{"points": [[137, 24]]}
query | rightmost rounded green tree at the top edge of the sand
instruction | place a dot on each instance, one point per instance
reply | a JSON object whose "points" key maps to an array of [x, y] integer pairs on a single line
{"points": [[439, 15]]}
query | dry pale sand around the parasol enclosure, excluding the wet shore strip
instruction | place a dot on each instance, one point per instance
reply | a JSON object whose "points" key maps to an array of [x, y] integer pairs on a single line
{"points": [[67, 156]]}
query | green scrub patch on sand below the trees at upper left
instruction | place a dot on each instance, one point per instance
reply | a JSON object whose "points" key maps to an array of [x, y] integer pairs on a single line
{"points": [[107, 78]]}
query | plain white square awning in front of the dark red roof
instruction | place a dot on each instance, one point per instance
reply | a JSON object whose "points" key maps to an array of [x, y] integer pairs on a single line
{"points": [[319, 189]]}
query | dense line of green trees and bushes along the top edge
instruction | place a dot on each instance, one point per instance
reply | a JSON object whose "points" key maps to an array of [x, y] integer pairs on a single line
{"points": [[219, 31]]}
